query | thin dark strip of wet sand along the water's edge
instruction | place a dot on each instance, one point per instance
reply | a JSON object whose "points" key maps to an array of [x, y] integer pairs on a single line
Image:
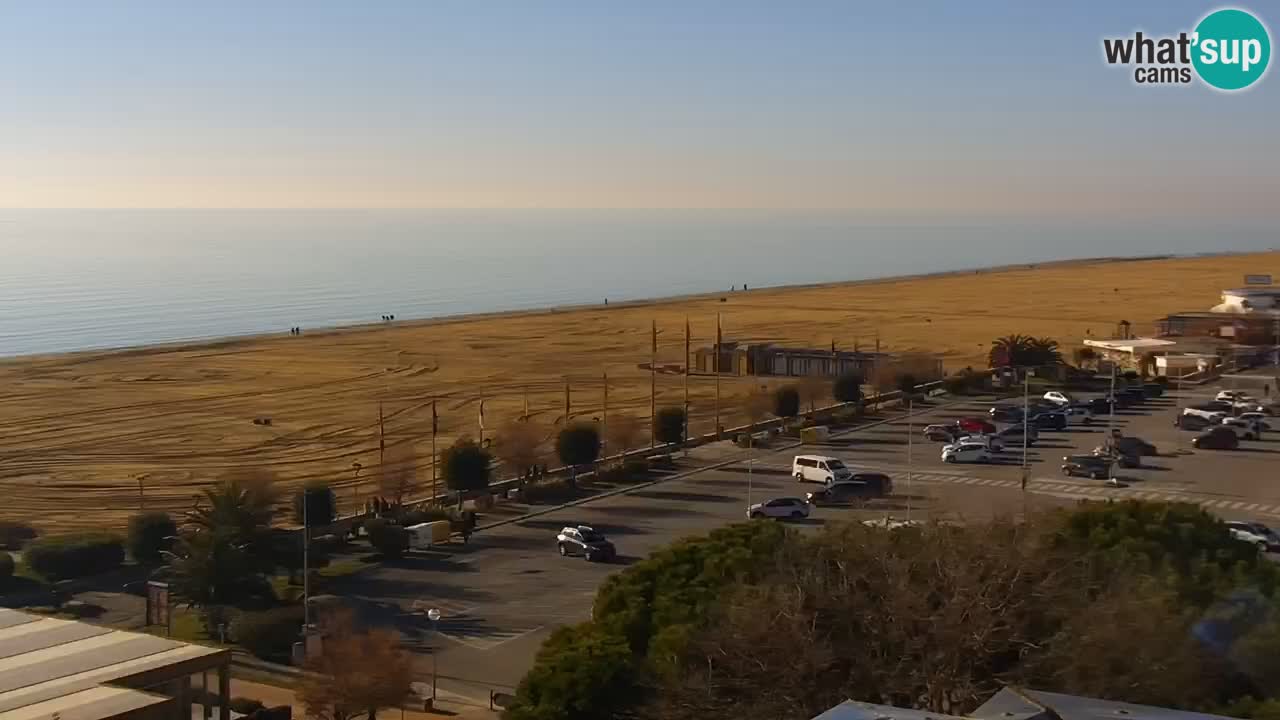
{"points": [[217, 343]]}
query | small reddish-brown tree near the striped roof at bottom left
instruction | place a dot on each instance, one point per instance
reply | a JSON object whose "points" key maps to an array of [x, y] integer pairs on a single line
{"points": [[356, 672]]}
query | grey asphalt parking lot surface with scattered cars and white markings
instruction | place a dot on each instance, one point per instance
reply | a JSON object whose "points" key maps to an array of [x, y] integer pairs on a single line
{"points": [[506, 591]]}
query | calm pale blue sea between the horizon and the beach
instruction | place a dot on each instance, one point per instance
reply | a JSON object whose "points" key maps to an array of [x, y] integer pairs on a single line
{"points": [[74, 280]]}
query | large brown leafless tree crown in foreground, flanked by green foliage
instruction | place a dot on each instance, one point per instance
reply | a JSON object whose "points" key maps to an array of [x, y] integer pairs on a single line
{"points": [[934, 617]]}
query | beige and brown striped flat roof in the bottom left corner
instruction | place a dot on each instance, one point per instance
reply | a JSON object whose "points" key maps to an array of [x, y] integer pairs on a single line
{"points": [[51, 666]]}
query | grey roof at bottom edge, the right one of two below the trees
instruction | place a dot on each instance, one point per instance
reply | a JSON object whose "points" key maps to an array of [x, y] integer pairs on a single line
{"points": [[1021, 704]]}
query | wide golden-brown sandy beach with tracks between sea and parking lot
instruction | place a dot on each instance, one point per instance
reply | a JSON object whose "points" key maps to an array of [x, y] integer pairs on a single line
{"points": [[88, 439]]}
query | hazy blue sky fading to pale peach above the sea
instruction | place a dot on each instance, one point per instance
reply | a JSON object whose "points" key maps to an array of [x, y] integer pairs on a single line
{"points": [[988, 108]]}
